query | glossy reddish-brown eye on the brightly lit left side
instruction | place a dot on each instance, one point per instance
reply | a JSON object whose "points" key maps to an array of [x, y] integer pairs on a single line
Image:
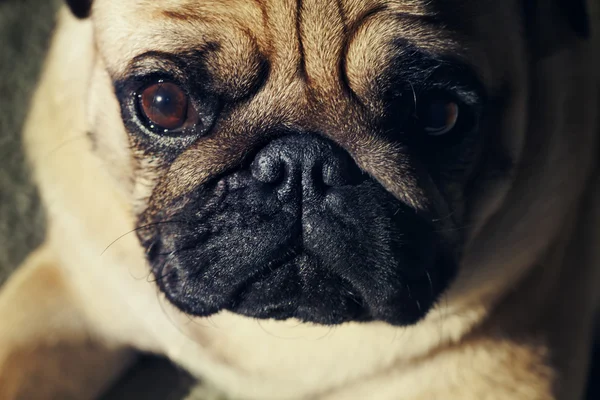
{"points": [[166, 107]]}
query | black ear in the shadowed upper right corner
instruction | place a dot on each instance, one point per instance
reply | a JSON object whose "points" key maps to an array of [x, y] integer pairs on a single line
{"points": [[554, 24]]}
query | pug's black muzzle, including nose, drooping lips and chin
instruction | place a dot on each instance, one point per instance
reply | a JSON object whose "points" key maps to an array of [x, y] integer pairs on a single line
{"points": [[282, 246]]}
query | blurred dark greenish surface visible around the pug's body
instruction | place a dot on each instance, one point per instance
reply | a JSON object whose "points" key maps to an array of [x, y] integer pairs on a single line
{"points": [[25, 30]]}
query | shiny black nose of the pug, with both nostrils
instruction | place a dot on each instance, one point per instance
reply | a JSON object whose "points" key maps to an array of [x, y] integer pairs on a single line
{"points": [[308, 163]]}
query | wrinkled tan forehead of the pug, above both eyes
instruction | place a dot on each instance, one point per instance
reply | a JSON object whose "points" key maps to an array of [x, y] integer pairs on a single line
{"points": [[315, 32]]}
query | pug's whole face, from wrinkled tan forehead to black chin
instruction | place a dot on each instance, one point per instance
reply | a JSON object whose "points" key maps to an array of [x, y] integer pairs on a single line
{"points": [[325, 161]]}
